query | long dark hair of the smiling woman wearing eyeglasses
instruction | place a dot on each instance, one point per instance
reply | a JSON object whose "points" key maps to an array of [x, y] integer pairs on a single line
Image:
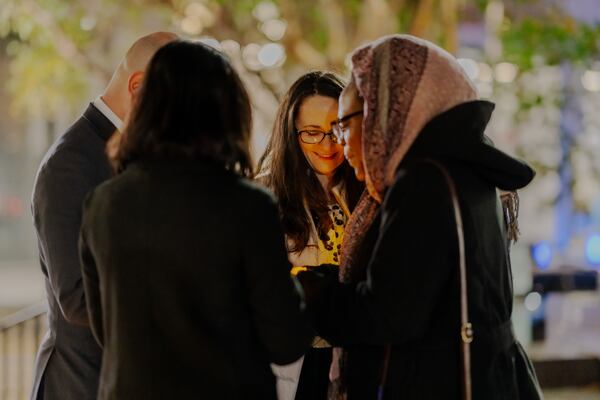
{"points": [[285, 170]]}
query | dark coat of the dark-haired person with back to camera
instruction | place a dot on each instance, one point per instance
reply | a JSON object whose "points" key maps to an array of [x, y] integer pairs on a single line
{"points": [[188, 285]]}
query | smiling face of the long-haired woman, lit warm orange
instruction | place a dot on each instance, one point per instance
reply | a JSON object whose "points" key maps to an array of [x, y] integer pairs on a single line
{"points": [[316, 113]]}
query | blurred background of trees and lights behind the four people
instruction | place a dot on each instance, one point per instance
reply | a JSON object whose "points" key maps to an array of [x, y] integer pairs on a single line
{"points": [[538, 60]]}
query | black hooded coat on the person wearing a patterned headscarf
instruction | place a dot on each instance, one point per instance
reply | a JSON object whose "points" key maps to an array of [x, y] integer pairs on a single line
{"points": [[407, 293]]}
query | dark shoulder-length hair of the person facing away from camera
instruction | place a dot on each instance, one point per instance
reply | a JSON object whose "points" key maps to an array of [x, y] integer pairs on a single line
{"points": [[192, 106]]}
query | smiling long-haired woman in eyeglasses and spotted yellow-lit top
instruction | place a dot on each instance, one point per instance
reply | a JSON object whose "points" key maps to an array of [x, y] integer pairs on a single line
{"points": [[304, 166]]}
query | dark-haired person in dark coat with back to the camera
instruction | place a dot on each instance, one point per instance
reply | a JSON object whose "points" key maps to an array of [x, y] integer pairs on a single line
{"points": [[184, 262]]}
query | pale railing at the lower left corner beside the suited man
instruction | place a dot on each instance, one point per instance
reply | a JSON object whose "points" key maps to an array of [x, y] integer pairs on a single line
{"points": [[20, 336]]}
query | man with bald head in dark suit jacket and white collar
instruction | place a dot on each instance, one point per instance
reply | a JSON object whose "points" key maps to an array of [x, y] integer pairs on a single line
{"points": [[69, 358]]}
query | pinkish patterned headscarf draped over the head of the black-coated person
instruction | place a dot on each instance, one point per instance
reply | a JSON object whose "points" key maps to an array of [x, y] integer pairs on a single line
{"points": [[404, 82]]}
